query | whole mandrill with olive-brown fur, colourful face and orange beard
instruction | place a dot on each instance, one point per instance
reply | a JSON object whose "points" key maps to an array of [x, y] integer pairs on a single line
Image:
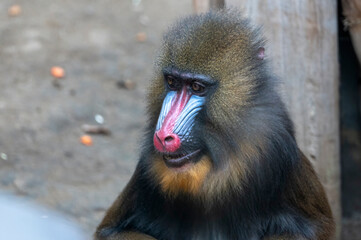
{"points": [[220, 159]]}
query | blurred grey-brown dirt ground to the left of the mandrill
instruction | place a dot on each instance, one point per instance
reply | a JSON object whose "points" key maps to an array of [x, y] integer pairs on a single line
{"points": [[96, 43]]}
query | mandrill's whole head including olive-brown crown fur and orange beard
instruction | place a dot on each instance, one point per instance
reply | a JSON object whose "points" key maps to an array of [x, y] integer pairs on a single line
{"points": [[208, 78]]}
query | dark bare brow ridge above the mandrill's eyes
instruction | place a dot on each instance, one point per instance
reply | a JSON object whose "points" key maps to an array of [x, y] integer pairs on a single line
{"points": [[188, 76]]}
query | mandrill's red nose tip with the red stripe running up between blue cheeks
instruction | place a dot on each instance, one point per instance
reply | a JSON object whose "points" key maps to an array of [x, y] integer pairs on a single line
{"points": [[164, 139]]}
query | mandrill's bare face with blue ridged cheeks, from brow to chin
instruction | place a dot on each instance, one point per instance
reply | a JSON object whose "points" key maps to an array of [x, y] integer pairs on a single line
{"points": [[176, 135]]}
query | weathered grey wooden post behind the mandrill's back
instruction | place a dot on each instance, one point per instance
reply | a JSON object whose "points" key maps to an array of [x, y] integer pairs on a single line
{"points": [[302, 43]]}
